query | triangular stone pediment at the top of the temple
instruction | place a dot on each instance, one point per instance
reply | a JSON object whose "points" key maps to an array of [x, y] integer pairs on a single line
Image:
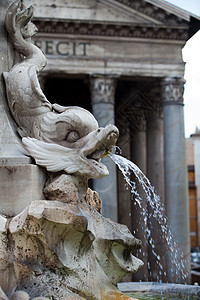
{"points": [[108, 12]]}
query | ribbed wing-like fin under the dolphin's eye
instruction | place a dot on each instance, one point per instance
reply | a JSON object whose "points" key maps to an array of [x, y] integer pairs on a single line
{"points": [[53, 157]]}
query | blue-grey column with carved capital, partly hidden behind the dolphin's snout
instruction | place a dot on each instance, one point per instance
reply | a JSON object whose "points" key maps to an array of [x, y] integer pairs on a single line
{"points": [[103, 100]]}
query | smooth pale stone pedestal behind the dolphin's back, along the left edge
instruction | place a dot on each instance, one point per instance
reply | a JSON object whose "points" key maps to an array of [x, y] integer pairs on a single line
{"points": [[20, 181]]}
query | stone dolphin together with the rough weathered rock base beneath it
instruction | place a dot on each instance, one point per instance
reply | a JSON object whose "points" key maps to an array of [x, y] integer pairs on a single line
{"points": [[61, 247]]}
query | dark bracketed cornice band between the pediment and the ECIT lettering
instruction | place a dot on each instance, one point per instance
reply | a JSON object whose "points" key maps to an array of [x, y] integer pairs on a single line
{"points": [[115, 30]]}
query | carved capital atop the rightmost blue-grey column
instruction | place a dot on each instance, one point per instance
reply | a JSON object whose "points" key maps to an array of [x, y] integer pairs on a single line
{"points": [[172, 90]]}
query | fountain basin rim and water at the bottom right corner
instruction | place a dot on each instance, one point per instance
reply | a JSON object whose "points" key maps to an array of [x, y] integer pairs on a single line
{"points": [[160, 289]]}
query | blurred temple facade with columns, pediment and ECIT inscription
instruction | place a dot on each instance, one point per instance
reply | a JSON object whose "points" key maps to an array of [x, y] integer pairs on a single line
{"points": [[122, 60]]}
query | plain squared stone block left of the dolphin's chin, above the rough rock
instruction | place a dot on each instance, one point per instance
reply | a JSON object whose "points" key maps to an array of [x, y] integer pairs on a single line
{"points": [[19, 185]]}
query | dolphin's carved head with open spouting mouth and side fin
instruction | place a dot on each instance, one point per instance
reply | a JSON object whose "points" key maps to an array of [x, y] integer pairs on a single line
{"points": [[71, 141]]}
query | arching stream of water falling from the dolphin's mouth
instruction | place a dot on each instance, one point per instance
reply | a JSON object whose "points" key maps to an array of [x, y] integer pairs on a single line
{"points": [[154, 215]]}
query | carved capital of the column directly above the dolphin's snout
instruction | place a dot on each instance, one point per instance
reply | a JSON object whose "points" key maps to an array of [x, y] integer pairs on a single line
{"points": [[102, 88]]}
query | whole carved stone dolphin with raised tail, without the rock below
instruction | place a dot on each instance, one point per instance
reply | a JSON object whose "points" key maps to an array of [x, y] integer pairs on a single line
{"points": [[58, 138]]}
